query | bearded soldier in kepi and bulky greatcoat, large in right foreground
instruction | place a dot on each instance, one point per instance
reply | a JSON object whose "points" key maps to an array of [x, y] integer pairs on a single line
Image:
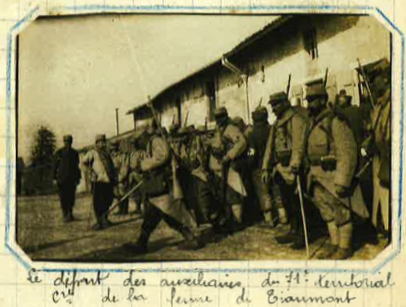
{"points": [[332, 153]]}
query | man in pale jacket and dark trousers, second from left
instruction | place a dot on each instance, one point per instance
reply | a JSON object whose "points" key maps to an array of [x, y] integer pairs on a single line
{"points": [[100, 165]]}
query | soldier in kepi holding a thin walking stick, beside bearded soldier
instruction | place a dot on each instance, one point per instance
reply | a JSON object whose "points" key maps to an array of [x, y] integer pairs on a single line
{"points": [[283, 157]]}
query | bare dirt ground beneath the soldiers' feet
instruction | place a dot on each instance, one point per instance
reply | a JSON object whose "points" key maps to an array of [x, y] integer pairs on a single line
{"points": [[43, 235]]}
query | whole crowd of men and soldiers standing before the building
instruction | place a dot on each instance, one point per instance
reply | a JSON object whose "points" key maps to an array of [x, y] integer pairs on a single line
{"points": [[318, 157]]}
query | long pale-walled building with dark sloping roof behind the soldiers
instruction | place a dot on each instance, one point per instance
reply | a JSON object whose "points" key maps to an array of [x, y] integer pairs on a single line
{"points": [[304, 49]]}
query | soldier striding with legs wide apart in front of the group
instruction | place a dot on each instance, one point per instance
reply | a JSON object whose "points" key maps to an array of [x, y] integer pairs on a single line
{"points": [[156, 169]]}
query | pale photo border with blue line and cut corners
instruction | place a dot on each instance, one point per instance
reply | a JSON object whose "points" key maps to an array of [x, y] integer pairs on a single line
{"points": [[97, 9]]}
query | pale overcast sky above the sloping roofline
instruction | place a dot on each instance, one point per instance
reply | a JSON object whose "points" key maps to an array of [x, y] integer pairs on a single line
{"points": [[75, 71]]}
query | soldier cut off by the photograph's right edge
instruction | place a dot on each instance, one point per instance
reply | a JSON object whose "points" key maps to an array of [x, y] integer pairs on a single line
{"points": [[378, 146]]}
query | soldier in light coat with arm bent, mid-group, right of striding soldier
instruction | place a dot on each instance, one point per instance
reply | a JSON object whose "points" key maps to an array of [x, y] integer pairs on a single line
{"points": [[227, 146]]}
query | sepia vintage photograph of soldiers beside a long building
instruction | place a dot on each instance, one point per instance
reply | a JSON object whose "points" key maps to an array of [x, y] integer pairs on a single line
{"points": [[173, 137]]}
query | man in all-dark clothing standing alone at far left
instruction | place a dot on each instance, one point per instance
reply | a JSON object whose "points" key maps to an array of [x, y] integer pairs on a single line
{"points": [[67, 176]]}
